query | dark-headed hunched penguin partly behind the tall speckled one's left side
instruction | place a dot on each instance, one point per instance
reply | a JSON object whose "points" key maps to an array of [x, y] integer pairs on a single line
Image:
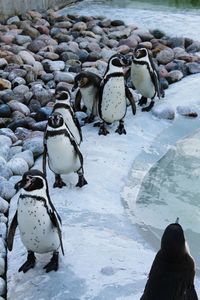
{"points": [[88, 85]]}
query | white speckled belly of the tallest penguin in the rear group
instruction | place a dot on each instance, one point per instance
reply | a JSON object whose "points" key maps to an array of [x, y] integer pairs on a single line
{"points": [[113, 105]]}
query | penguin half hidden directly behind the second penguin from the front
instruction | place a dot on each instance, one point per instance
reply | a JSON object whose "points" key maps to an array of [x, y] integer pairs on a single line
{"points": [[63, 106]]}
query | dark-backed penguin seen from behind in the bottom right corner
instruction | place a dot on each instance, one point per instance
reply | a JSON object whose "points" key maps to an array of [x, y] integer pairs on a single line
{"points": [[172, 273]]}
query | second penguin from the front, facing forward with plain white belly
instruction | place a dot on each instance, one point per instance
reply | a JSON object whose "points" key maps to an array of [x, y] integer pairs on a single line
{"points": [[62, 150]]}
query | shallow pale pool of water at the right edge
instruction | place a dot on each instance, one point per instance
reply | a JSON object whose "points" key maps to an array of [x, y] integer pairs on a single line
{"points": [[171, 189]]}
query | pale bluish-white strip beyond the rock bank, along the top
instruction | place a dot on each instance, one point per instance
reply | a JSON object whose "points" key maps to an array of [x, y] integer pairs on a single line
{"points": [[175, 21]]}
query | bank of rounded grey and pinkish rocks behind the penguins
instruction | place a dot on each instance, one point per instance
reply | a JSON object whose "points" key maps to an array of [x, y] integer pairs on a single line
{"points": [[41, 51]]}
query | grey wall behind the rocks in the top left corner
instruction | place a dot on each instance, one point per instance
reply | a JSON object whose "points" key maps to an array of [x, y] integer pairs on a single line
{"points": [[16, 7]]}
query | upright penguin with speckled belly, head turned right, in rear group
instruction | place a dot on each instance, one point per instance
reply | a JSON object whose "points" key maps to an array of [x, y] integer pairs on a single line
{"points": [[113, 93]]}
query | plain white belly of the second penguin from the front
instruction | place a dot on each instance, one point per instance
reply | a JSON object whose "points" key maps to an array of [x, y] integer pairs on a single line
{"points": [[62, 157]]}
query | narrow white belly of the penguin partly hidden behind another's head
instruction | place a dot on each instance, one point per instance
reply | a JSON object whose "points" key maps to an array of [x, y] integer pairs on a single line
{"points": [[70, 123]]}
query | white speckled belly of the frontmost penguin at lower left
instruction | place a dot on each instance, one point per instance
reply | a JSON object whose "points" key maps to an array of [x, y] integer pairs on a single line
{"points": [[36, 229]]}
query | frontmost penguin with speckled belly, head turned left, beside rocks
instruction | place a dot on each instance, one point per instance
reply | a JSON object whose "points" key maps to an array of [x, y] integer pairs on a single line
{"points": [[39, 223]]}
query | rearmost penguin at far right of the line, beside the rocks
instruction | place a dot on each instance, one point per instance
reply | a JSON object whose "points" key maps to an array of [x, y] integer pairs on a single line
{"points": [[145, 77]]}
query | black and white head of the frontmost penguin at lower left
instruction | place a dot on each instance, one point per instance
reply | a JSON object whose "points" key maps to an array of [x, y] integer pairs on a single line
{"points": [[31, 180]]}
